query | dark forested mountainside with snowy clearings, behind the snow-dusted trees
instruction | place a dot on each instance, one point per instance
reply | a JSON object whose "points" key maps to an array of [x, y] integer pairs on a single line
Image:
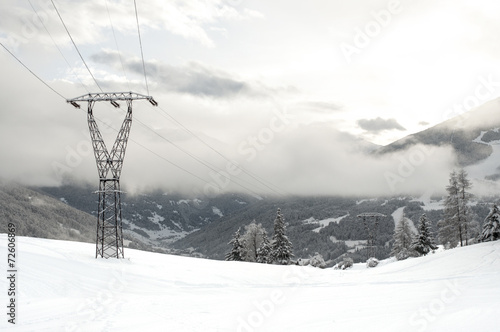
{"points": [[327, 225]]}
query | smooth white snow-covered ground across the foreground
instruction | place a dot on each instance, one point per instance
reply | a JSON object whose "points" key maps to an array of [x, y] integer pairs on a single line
{"points": [[63, 288]]}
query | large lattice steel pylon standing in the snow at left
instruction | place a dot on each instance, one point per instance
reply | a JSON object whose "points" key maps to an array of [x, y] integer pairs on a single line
{"points": [[109, 240]]}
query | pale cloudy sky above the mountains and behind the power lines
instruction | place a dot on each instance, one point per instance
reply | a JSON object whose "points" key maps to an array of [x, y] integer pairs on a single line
{"points": [[291, 91]]}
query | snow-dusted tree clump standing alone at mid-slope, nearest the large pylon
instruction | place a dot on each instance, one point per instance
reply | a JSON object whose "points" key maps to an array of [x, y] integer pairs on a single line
{"points": [[255, 246]]}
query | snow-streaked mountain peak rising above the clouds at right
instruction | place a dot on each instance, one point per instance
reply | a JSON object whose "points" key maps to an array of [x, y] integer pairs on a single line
{"points": [[471, 135]]}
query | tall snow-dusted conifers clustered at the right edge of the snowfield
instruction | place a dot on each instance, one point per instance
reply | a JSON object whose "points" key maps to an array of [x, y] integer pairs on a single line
{"points": [[457, 226]]}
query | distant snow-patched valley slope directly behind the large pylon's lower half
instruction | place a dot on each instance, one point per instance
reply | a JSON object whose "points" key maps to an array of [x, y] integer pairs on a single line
{"points": [[156, 218]]}
